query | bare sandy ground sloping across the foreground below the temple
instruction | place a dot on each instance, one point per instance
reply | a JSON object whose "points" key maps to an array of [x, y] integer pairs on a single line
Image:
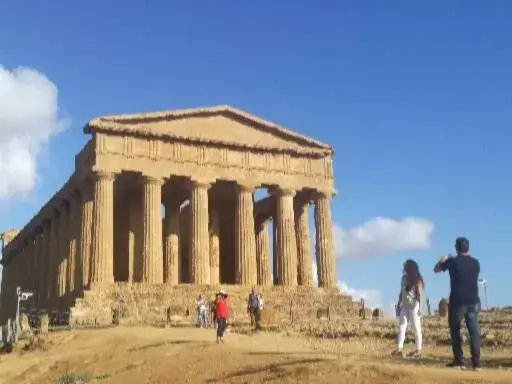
{"points": [[179, 355]]}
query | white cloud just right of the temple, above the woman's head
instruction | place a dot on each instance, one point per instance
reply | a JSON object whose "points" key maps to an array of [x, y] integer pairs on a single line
{"points": [[380, 236]]}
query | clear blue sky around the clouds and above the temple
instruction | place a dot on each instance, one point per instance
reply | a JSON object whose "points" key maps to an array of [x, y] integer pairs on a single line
{"points": [[415, 97]]}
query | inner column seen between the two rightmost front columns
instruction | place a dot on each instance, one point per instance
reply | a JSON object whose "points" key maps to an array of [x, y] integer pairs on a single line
{"points": [[303, 242]]}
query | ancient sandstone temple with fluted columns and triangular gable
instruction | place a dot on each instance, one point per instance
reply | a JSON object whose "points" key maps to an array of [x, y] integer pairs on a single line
{"points": [[168, 198]]}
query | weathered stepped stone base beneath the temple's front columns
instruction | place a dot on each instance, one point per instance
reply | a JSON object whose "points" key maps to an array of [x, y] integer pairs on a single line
{"points": [[149, 304]]}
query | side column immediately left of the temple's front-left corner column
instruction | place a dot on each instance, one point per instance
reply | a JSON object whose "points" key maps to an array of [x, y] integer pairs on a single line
{"points": [[85, 250]]}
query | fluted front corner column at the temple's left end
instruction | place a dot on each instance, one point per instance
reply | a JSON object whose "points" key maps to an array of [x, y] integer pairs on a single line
{"points": [[102, 258]]}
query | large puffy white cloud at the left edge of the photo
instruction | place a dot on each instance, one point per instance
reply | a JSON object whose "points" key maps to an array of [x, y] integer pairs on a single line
{"points": [[29, 118]]}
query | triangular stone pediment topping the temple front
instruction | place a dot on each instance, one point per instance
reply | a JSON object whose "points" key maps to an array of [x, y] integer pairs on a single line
{"points": [[215, 125]]}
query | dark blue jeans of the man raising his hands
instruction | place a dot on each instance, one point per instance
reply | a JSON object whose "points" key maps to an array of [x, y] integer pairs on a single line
{"points": [[470, 315]]}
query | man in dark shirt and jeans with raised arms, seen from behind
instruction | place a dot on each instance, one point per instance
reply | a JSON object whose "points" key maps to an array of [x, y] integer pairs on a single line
{"points": [[464, 300]]}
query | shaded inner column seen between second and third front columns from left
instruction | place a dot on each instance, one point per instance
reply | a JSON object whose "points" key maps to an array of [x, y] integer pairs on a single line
{"points": [[172, 242]]}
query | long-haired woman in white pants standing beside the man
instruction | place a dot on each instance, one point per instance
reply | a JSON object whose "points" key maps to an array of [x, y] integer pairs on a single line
{"points": [[408, 308]]}
